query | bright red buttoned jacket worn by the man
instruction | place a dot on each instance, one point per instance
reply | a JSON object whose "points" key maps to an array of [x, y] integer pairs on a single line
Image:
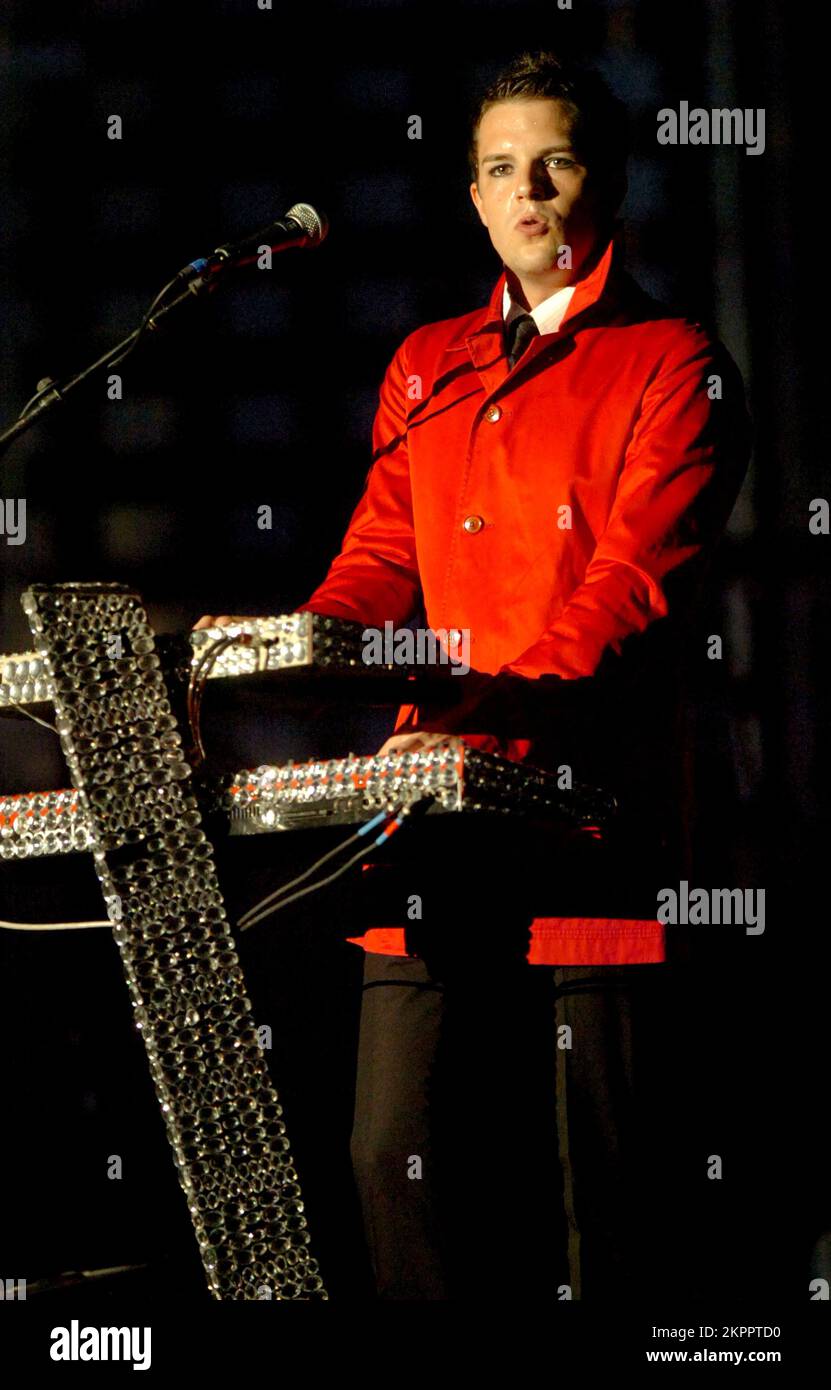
{"points": [[630, 416]]}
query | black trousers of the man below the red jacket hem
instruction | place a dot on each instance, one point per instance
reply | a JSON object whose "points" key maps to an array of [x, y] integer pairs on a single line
{"points": [[502, 1145]]}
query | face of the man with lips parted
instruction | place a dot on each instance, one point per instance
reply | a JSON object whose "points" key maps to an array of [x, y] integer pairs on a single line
{"points": [[534, 195]]}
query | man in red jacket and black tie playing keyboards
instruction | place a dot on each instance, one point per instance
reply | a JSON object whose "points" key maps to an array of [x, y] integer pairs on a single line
{"points": [[550, 476]]}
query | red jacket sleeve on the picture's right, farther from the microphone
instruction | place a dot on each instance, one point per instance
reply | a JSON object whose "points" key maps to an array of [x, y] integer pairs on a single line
{"points": [[682, 476]]}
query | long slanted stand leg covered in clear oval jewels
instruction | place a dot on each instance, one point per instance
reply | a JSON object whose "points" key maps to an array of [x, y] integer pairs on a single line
{"points": [[155, 864]]}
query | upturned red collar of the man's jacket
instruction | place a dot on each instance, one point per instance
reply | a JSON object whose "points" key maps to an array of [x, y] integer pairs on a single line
{"points": [[486, 340]]}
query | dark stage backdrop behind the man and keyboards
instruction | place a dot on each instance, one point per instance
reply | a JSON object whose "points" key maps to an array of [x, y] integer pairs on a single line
{"points": [[265, 394]]}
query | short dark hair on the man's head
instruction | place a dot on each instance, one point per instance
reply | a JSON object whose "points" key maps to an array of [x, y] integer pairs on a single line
{"points": [[600, 120]]}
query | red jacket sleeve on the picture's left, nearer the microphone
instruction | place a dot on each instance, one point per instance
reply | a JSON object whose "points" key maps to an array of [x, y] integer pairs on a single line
{"points": [[376, 576]]}
